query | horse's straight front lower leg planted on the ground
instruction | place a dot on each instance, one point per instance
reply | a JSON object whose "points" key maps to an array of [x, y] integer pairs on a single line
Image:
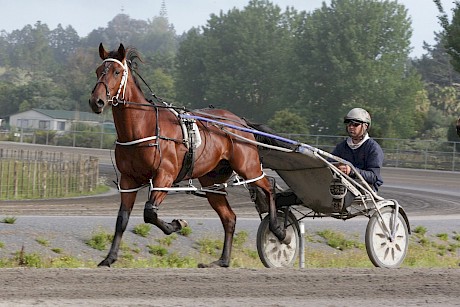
{"points": [[127, 202]]}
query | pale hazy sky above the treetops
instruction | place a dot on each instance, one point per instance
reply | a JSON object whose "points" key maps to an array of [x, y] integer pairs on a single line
{"points": [[87, 15]]}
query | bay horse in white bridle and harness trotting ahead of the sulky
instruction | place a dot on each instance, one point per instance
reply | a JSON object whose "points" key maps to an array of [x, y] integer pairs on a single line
{"points": [[151, 149]]}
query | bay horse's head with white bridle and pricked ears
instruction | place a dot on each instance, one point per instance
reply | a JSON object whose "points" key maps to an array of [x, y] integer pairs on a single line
{"points": [[112, 77]]}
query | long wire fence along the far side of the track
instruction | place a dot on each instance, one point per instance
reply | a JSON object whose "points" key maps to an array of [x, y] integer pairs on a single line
{"points": [[422, 154]]}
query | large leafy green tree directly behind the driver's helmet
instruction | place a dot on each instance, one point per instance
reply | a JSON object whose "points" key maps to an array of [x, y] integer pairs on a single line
{"points": [[354, 53]]}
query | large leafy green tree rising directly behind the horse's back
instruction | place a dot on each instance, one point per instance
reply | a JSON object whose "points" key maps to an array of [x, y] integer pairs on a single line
{"points": [[240, 60]]}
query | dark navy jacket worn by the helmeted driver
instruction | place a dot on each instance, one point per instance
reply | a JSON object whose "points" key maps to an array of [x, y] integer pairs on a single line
{"points": [[367, 159]]}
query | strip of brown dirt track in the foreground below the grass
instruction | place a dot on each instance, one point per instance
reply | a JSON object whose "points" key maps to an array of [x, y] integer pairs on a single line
{"points": [[229, 287]]}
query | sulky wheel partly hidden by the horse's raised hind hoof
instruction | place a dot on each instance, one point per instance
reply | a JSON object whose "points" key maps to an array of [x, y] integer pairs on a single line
{"points": [[272, 252]]}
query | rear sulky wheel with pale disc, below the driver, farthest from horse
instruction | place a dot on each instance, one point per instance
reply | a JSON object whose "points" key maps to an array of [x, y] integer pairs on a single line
{"points": [[382, 250]]}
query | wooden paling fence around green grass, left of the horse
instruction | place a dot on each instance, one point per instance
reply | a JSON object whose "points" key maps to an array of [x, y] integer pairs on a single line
{"points": [[37, 174]]}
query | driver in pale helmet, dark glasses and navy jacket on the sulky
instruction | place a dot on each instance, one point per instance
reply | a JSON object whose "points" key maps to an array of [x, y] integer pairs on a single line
{"points": [[363, 152]]}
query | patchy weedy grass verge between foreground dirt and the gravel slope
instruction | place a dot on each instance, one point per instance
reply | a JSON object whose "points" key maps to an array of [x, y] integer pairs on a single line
{"points": [[324, 249]]}
